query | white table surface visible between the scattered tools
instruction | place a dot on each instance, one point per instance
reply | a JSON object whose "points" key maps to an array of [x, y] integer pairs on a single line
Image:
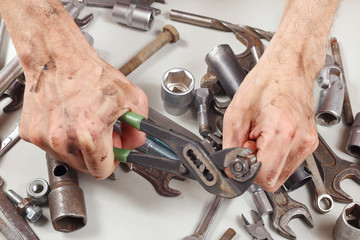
{"points": [[129, 208]]}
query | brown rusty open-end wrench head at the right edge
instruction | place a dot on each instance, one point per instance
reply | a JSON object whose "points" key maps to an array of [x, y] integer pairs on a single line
{"points": [[334, 170]]}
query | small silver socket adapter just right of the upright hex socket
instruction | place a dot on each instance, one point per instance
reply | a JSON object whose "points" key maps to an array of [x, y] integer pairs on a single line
{"points": [[202, 100]]}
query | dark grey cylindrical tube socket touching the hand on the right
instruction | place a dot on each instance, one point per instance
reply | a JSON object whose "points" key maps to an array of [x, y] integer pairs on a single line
{"points": [[222, 61]]}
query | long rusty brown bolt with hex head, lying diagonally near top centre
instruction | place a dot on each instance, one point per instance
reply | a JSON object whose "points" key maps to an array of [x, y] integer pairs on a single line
{"points": [[170, 34]]}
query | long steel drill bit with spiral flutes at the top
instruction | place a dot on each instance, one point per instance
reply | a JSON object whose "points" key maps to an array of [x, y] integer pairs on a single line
{"points": [[213, 23]]}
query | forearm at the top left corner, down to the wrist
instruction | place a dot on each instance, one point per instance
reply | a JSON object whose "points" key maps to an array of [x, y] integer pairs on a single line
{"points": [[42, 31]]}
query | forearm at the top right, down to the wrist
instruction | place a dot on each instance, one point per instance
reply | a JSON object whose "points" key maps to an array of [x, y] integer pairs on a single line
{"points": [[302, 35]]}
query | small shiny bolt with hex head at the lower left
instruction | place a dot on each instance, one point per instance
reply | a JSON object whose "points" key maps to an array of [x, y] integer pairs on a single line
{"points": [[24, 206]]}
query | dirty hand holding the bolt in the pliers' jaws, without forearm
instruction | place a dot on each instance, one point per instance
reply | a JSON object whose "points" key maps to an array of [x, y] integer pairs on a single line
{"points": [[274, 116]]}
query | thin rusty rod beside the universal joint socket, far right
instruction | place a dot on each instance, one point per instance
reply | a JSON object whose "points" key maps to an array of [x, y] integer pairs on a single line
{"points": [[349, 118]]}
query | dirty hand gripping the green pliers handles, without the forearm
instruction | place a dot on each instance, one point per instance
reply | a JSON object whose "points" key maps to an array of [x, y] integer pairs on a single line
{"points": [[71, 103]]}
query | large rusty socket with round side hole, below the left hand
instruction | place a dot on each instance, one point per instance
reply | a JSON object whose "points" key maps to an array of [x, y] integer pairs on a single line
{"points": [[66, 198]]}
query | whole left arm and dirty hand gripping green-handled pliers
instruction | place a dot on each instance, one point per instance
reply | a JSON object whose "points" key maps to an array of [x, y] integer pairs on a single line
{"points": [[72, 97]]}
